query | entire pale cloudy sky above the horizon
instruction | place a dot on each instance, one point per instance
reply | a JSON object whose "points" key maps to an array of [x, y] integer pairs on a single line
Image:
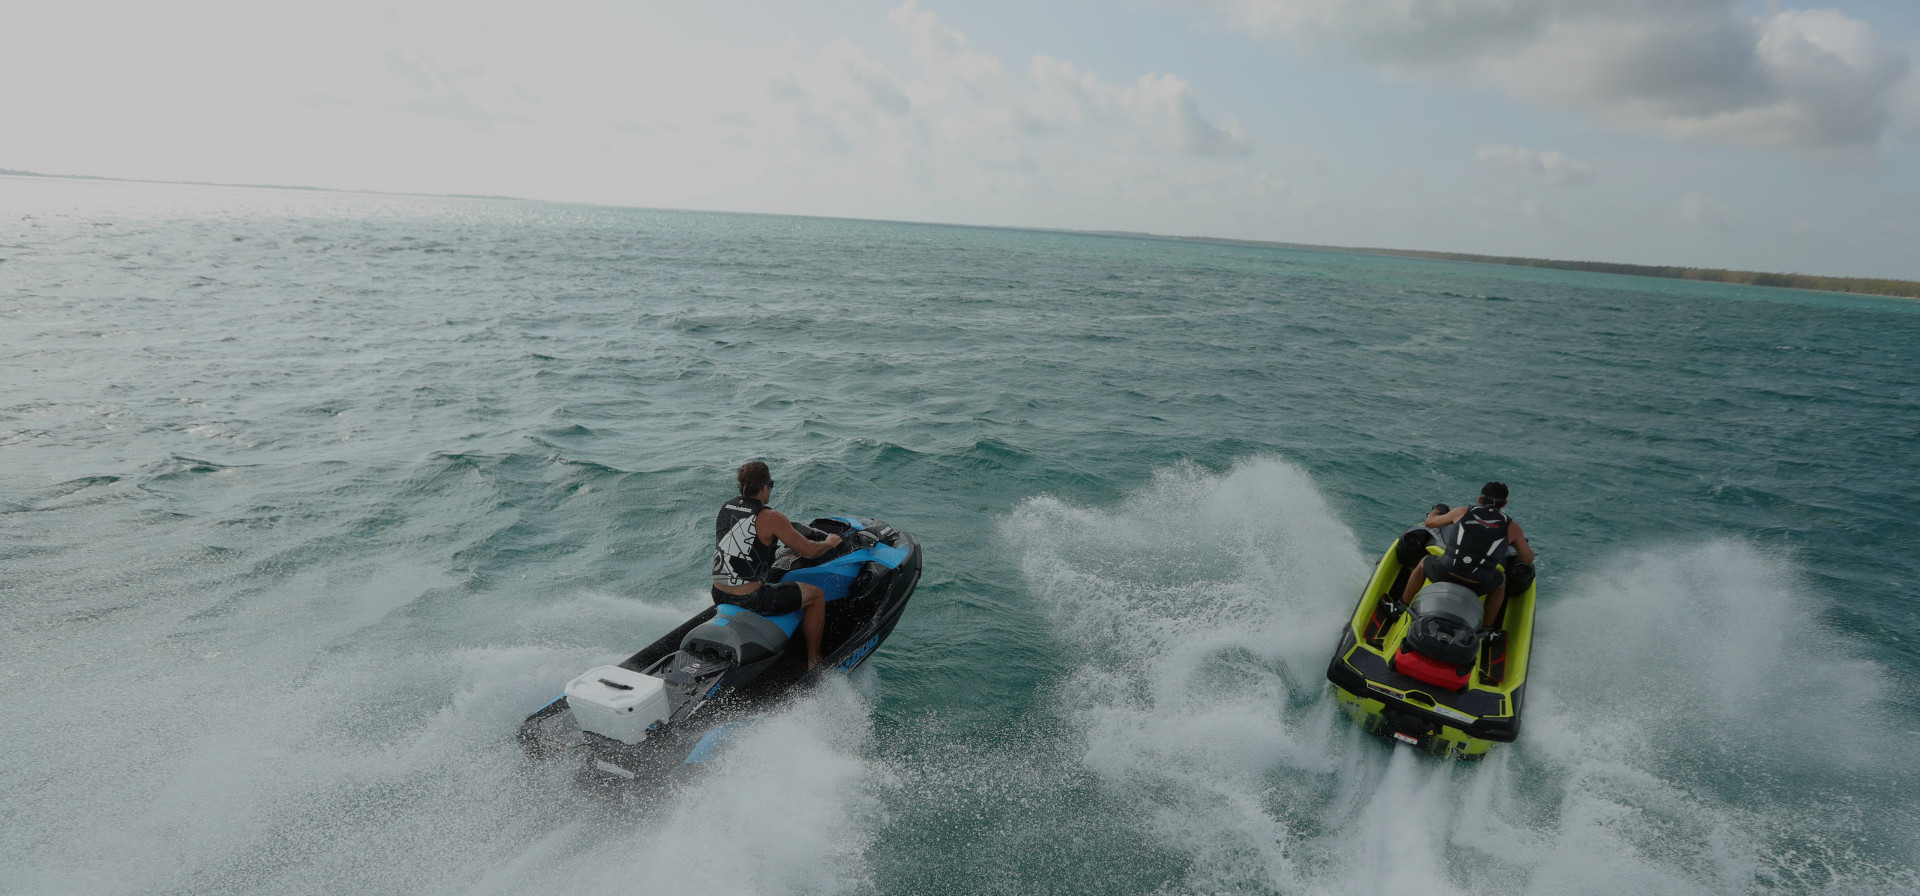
{"points": [[1760, 135]]}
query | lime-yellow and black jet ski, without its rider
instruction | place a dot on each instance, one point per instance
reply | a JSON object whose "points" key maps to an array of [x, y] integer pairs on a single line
{"points": [[1426, 674]]}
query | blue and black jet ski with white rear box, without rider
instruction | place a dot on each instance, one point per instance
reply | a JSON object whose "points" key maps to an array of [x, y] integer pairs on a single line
{"points": [[673, 705]]}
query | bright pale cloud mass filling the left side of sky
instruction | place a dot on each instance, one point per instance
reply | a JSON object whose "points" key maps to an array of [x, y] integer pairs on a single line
{"points": [[575, 101]]}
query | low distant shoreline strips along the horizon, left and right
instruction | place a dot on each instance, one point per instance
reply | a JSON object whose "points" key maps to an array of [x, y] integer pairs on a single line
{"points": [[1812, 283]]}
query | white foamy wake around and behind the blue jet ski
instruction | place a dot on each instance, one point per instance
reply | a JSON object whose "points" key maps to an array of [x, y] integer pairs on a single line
{"points": [[279, 768]]}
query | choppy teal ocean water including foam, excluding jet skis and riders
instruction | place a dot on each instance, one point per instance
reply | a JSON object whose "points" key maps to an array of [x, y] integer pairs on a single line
{"points": [[306, 500]]}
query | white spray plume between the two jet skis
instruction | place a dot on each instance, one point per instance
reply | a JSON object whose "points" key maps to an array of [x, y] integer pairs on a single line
{"points": [[1201, 605]]}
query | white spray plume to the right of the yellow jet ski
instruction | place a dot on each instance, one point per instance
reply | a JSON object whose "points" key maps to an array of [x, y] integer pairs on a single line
{"points": [[1708, 734]]}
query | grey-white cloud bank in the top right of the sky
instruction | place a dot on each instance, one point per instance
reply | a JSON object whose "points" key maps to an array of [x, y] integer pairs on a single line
{"points": [[1692, 70]]}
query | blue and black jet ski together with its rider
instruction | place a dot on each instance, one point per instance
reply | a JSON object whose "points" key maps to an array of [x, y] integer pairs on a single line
{"points": [[679, 699]]}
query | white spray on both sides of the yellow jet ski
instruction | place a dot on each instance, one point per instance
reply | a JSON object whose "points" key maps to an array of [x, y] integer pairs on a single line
{"points": [[1691, 720]]}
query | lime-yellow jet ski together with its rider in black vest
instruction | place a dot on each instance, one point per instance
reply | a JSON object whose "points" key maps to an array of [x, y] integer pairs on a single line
{"points": [[1437, 669]]}
